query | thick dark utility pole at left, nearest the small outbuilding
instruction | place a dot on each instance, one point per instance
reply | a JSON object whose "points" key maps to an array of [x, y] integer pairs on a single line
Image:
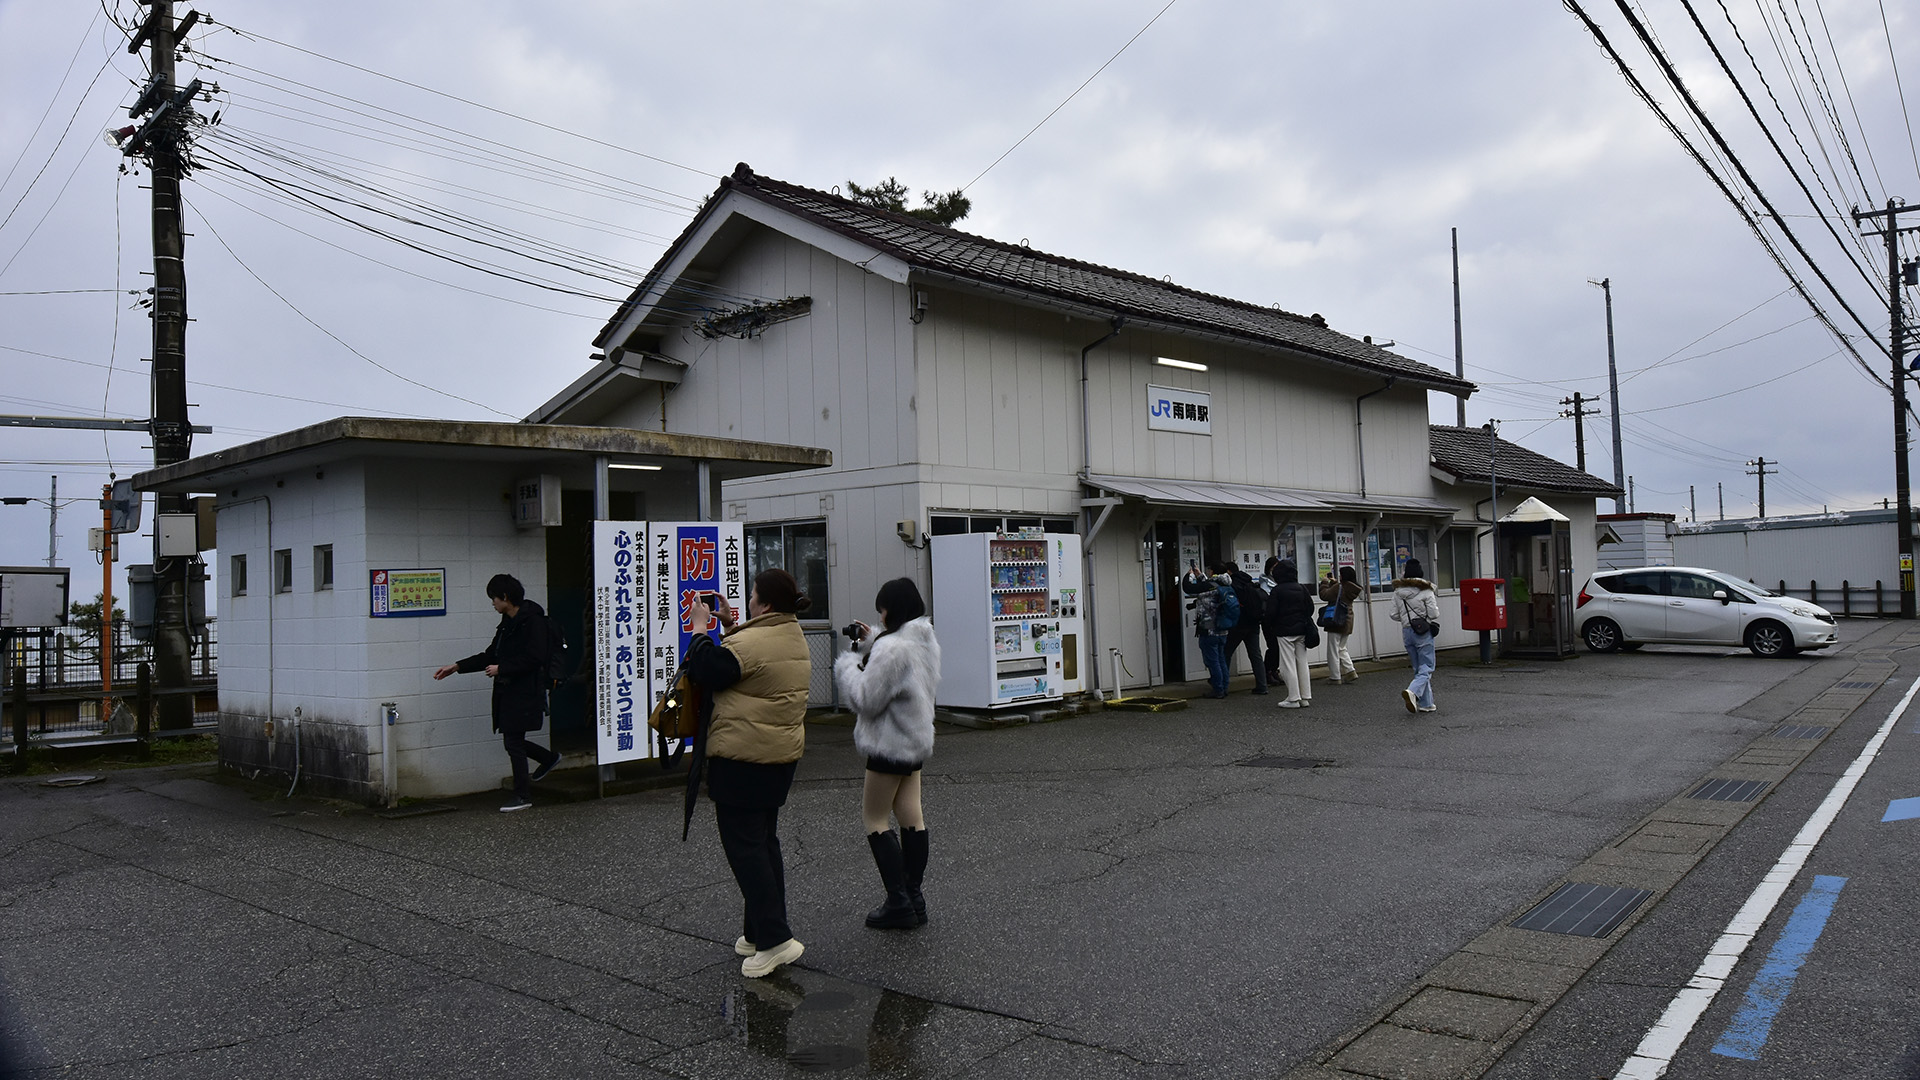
{"points": [[164, 141]]}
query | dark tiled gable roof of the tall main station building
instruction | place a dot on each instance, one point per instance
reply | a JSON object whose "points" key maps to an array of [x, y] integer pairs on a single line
{"points": [[967, 257]]}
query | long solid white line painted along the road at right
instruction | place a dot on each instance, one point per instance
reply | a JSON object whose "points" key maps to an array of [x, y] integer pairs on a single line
{"points": [[1662, 1043]]}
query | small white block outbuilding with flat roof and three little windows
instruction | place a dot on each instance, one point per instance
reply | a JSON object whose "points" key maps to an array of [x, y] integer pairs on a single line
{"points": [[354, 560]]}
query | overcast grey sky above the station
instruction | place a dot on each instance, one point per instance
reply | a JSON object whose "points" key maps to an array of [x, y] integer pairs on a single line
{"points": [[1285, 153]]}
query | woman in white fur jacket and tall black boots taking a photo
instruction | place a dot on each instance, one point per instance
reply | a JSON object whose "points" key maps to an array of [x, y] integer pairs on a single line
{"points": [[890, 681]]}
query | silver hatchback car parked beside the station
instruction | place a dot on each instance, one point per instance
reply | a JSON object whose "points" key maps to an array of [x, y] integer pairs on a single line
{"points": [[1691, 606]]}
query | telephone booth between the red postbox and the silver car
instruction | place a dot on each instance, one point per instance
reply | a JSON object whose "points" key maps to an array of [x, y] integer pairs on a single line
{"points": [[1535, 556]]}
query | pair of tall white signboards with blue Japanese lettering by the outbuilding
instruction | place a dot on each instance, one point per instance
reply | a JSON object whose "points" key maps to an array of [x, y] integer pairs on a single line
{"points": [[646, 579]]}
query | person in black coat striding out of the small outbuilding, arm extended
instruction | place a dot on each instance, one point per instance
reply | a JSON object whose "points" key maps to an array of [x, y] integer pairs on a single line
{"points": [[517, 664]]}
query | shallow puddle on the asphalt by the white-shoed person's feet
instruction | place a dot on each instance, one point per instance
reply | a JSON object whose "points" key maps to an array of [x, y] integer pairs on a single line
{"points": [[817, 1023]]}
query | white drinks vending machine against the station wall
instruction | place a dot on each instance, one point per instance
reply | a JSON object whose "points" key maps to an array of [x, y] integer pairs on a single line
{"points": [[1009, 616]]}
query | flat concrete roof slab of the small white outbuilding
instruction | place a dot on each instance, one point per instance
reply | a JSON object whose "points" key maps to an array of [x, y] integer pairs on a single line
{"points": [[556, 449]]}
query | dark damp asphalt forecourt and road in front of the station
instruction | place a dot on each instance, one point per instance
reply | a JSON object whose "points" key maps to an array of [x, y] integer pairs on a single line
{"points": [[1111, 896]]}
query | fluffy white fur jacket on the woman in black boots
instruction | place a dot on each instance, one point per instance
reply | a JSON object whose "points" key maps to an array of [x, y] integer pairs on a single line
{"points": [[894, 697]]}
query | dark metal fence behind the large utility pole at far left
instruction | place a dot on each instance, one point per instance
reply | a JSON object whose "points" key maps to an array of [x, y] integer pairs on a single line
{"points": [[53, 681]]}
